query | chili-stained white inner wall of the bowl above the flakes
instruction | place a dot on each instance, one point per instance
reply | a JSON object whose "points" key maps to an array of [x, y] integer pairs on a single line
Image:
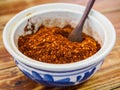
{"points": [[60, 19]]}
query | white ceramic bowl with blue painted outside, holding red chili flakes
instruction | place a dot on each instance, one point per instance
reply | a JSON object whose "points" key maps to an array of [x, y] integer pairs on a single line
{"points": [[59, 14]]}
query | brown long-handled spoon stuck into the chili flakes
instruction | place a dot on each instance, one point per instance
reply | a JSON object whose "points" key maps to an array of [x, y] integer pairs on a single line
{"points": [[76, 34]]}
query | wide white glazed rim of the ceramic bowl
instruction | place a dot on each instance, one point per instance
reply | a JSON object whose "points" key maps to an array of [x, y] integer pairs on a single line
{"points": [[58, 67]]}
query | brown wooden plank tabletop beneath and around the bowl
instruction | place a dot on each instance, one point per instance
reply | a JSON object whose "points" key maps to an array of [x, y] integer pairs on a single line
{"points": [[107, 78]]}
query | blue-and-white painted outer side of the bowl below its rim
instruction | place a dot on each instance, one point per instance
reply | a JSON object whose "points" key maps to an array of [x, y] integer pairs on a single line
{"points": [[49, 79]]}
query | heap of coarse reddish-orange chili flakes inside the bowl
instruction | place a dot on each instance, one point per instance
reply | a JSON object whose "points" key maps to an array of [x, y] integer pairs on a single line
{"points": [[51, 45]]}
